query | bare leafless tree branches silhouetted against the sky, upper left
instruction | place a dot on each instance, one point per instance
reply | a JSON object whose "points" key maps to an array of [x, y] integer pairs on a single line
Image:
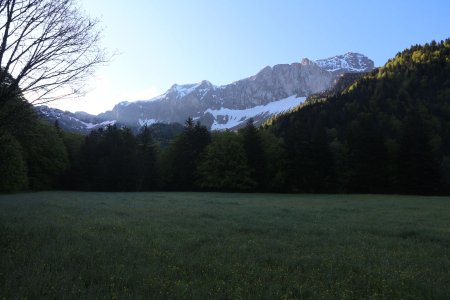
{"points": [[48, 49]]}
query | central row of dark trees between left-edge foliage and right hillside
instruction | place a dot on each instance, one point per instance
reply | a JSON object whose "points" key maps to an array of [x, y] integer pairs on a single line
{"points": [[113, 159]]}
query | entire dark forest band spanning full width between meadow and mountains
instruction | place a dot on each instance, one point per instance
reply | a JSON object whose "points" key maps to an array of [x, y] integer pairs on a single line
{"points": [[384, 132]]}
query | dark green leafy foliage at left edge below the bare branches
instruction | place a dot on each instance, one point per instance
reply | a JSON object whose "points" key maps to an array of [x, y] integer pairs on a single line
{"points": [[31, 144]]}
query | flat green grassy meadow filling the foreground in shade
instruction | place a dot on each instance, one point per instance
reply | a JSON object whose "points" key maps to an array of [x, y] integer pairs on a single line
{"points": [[222, 246]]}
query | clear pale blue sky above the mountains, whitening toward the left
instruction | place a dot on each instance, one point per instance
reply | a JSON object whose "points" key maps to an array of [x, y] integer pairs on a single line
{"points": [[162, 42]]}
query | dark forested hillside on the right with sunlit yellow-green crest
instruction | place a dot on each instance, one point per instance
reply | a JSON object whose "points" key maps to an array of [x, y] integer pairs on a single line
{"points": [[389, 132]]}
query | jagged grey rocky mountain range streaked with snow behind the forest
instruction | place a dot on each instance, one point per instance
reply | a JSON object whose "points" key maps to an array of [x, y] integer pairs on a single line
{"points": [[272, 91]]}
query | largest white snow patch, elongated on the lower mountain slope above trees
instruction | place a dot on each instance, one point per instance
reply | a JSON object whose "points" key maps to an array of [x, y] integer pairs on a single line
{"points": [[225, 118]]}
